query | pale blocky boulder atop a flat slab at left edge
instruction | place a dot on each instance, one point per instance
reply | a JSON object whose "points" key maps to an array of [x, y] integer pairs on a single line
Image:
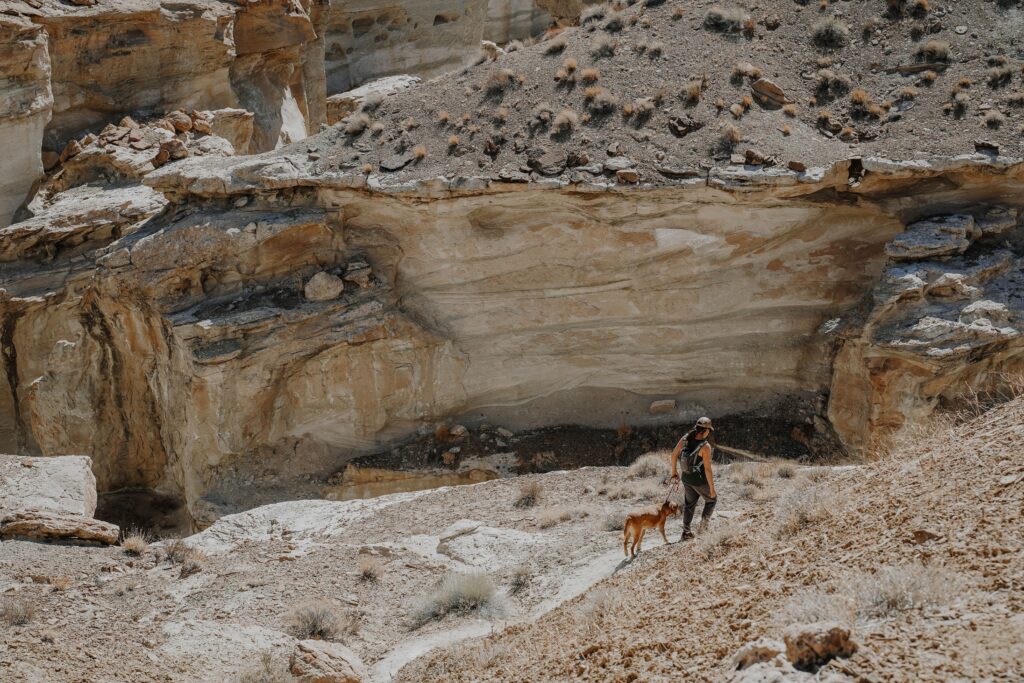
{"points": [[61, 484]]}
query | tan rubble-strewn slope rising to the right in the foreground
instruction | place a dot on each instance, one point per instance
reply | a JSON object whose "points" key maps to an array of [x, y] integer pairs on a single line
{"points": [[951, 501]]}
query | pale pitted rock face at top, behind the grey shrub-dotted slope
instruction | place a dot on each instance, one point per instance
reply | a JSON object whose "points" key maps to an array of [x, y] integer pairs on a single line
{"points": [[368, 39]]}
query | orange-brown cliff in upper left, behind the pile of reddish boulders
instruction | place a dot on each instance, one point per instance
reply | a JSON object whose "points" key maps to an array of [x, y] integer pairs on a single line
{"points": [[146, 58]]}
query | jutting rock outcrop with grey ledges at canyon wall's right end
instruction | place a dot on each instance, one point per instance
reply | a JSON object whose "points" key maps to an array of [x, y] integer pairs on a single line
{"points": [[946, 321]]}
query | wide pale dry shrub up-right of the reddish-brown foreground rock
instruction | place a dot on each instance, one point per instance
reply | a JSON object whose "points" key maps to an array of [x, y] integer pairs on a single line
{"points": [[898, 589]]}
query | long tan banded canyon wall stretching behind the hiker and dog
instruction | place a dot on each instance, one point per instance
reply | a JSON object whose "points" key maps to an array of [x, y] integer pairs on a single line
{"points": [[275, 311]]}
